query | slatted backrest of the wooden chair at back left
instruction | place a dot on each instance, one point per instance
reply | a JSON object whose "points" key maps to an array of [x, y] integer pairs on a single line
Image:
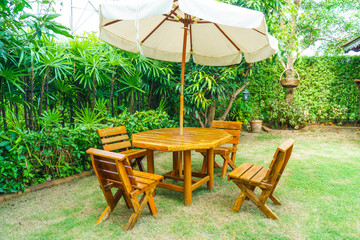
{"points": [[114, 138]]}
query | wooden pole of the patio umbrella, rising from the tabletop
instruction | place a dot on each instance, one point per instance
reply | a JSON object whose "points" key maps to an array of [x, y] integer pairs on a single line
{"points": [[183, 77]]}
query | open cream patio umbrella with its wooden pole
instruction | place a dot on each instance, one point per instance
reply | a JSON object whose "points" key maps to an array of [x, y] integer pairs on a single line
{"points": [[214, 33]]}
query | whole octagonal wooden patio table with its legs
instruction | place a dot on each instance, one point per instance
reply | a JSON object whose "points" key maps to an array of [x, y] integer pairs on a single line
{"points": [[170, 140]]}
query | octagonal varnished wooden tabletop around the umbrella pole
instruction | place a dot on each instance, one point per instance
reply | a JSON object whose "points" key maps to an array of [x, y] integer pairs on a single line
{"points": [[169, 139]]}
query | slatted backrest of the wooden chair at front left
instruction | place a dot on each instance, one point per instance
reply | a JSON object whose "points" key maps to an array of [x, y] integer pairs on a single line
{"points": [[111, 167]]}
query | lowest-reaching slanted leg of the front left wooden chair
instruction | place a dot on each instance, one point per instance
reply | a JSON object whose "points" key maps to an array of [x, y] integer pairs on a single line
{"points": [[139, 207]]}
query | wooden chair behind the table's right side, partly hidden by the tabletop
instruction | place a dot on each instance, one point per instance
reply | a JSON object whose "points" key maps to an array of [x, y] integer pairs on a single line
{"points": [[234, 128]]}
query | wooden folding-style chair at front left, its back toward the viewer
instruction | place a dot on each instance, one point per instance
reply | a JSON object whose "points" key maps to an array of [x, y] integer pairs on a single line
{"points": [[113, 170]]}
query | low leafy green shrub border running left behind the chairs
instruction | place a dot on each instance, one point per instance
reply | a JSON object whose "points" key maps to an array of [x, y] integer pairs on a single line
{"points": [[30, 157]]}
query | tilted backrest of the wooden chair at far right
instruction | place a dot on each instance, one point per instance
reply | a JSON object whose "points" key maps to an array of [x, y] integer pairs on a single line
{"points": [[279, 162]]}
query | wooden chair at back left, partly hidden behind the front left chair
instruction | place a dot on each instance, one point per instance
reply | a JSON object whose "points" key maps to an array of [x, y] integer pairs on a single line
{"points": [[116, 139]]}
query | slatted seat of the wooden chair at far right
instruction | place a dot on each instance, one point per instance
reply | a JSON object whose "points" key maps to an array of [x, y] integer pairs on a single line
{"points": [[250, 173]]}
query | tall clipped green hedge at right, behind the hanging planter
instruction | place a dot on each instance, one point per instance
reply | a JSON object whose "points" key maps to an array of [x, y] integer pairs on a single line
{"points": [[326, 90]]}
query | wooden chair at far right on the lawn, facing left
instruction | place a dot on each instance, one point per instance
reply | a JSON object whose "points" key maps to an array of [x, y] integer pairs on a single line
{"points": [[249, 176]]}
